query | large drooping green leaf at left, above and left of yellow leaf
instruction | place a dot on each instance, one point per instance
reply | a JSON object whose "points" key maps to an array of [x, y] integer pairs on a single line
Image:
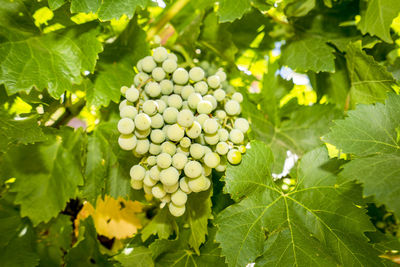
{"points": [[49, 176]]}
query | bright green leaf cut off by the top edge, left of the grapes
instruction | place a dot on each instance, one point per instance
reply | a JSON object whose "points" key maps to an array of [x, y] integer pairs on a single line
{"points": [[108, 9]]}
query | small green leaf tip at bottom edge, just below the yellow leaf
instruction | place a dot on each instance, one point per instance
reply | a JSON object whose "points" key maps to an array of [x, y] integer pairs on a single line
{"points": [[138, 257]]}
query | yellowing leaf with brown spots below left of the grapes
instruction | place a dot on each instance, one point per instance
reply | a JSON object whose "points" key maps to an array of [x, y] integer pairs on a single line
{"points": [[113, 218]]}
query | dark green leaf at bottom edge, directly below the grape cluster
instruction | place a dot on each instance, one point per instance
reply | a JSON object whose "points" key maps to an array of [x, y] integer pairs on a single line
{"points": [[177, 252]]}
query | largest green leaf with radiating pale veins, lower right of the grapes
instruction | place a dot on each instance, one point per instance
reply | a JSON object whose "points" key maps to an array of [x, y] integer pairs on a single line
{"points": [[317, 223]]}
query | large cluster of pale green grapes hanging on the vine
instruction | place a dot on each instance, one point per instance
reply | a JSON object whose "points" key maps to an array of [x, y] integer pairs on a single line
{"points": [[182, 124]]}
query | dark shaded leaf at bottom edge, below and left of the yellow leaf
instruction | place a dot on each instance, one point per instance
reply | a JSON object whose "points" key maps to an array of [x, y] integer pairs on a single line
{"points": [[53, 239]]}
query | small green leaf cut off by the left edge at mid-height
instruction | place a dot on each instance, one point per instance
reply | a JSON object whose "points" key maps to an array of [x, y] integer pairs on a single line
{"points": [[21, 131]]}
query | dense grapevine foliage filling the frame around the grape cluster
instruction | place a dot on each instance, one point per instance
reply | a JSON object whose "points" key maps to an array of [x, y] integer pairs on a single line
{"points": [[320, 79]]}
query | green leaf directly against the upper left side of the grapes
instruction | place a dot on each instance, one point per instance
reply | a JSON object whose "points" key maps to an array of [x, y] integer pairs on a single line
{"points": [[115, 65]]}
